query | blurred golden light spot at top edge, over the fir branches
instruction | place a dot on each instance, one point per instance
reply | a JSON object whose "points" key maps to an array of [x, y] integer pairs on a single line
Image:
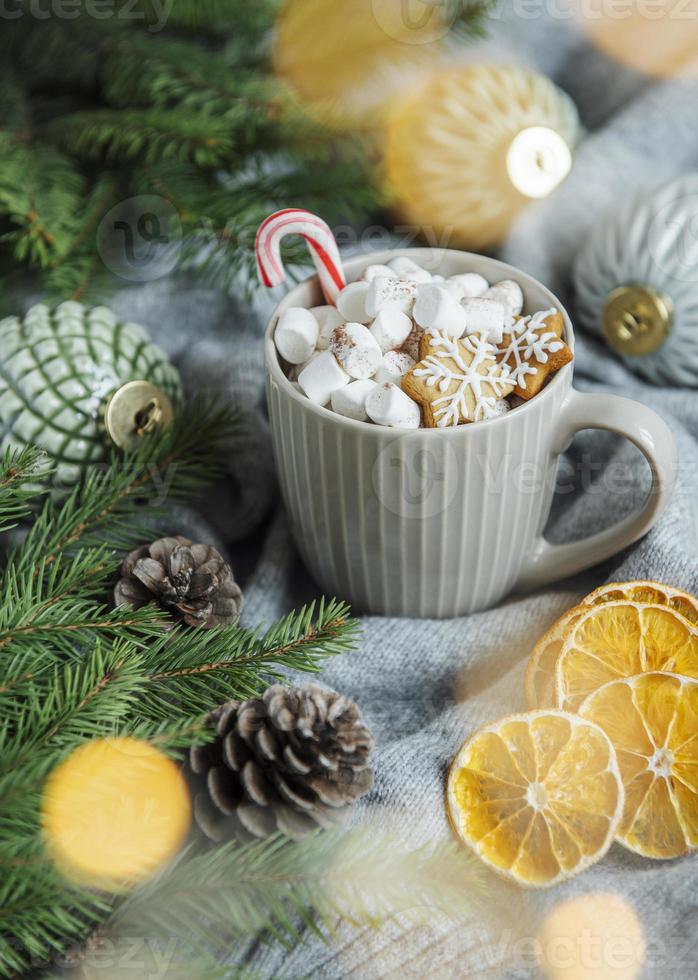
{"points": [[344, 57]]}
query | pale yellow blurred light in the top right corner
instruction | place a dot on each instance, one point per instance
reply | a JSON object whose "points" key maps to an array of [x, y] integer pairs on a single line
{"points": [[656, 37]]}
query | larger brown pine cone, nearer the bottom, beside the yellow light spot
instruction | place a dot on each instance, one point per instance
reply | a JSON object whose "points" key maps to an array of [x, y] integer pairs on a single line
{"points": [[292, 761]]}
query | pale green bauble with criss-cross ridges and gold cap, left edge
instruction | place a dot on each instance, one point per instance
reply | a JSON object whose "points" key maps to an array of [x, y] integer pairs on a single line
{"points": [[59, 371]]}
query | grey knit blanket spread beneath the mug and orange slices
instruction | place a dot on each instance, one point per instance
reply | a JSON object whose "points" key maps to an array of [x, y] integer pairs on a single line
{"points": [[423, 686]]}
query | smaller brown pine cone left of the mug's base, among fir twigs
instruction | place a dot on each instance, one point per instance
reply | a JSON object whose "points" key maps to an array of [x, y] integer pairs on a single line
{"points": [[191, 581]]}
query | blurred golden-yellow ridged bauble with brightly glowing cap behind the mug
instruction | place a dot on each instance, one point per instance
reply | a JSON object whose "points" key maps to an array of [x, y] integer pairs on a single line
{"points": [[472, 146]]}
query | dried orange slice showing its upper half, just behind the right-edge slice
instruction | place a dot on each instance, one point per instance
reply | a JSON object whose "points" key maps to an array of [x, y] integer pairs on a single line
{"points": [[621, 639]]}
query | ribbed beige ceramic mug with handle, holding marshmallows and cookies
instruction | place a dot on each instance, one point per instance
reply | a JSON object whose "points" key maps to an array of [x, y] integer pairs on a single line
{"points": [[443, 522]]}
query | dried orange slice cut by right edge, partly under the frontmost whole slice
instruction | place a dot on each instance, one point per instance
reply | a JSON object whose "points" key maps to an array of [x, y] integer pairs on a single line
{"points": [[652, 720]]}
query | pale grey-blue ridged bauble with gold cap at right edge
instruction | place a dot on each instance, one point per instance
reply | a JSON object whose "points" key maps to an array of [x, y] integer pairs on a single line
{"points": [[636, 283]]}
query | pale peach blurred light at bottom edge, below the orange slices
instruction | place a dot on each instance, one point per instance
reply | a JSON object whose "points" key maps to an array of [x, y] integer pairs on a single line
{"points": [[596, 936]]}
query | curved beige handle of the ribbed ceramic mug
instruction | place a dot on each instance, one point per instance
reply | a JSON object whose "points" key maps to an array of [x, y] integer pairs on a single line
{"points": [[651, 435]]}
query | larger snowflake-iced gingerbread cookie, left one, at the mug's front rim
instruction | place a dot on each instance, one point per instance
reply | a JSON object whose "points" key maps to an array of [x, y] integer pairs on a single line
{"points": [[457, 381]]}
